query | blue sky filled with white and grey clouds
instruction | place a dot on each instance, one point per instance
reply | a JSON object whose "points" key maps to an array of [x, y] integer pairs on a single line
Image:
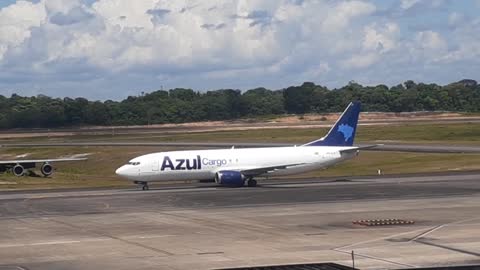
{"points": [[110, 49]]}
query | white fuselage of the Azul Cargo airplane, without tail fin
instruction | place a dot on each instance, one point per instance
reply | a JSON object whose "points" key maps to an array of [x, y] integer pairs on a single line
{"points": [[204, 164]]}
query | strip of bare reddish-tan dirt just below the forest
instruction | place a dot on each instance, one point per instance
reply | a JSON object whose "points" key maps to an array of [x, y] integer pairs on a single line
{"points": [[287, 121]]}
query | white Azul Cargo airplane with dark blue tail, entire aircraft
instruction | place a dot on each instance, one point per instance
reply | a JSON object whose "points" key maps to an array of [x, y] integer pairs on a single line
{"points": [[238, 167]]}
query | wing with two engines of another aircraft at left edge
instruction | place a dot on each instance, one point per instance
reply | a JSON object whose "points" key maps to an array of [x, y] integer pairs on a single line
{"points": [[20, 166]]}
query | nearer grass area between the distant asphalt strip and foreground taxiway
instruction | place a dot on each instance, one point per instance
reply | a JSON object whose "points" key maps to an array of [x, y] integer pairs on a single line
{"points": [[98, 170]]}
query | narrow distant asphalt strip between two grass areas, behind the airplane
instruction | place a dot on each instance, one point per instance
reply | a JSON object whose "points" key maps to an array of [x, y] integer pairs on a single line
{"points": [[383, 147]]}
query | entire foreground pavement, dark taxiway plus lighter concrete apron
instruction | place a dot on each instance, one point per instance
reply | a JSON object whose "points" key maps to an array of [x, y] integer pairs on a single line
{"points": [[206, 227]]}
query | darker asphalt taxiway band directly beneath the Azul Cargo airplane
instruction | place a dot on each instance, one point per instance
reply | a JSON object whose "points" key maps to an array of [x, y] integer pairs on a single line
{"points": [[14, 204]]}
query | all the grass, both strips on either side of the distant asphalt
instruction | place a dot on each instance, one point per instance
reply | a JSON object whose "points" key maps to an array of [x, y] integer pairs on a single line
{"points": [[98, 170]]}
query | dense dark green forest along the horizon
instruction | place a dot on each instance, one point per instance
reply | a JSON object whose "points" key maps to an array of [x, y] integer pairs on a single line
{"points": [[185, 105]]}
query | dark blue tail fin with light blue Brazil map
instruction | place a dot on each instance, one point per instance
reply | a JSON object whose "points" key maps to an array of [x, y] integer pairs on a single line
{"points": [[343, 132]]}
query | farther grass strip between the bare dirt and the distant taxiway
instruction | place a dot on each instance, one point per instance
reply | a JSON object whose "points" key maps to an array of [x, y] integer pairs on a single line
{"points": [[462, 133]]}
